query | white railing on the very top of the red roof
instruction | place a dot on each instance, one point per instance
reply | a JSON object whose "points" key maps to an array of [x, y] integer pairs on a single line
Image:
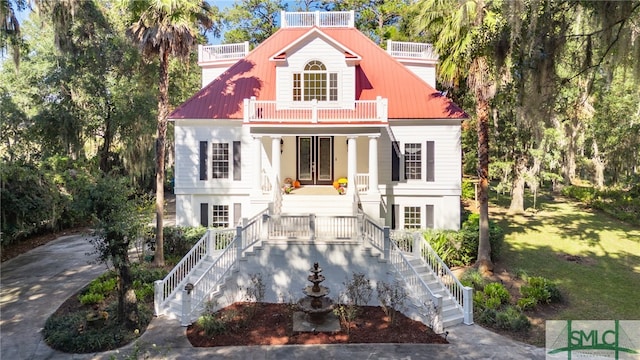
{"points": [[317, 18]]}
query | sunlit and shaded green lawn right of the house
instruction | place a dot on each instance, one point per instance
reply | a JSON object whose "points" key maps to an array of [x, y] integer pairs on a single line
{"points": [[605, 285]]}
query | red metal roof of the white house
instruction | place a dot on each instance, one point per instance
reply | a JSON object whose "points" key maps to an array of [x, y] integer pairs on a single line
{"points": [[377, 74]]}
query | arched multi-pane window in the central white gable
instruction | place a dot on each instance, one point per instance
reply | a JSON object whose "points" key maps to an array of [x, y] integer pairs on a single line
{"points": [[315, 83]]}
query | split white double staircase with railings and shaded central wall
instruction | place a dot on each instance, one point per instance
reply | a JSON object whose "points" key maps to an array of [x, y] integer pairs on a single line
{"points": [[285, 244]]}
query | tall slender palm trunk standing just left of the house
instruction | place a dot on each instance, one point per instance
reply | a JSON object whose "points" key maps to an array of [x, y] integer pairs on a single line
{"points": [[163, 112]]}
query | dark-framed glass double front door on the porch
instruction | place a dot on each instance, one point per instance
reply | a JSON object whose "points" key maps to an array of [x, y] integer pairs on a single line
{"points": [[315, 160]]}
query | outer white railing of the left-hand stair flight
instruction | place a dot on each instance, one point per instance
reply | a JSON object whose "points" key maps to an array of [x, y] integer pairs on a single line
{"points": [[165, 287]]}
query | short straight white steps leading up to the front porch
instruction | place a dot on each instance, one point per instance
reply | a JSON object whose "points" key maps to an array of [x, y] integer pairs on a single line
{"points": [[321, 205]]}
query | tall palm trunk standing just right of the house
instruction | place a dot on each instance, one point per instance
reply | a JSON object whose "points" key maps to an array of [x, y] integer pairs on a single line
{"points": [[483, 262]]}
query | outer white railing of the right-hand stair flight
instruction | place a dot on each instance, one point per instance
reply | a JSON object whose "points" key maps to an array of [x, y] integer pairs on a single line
{"points": [[463, 295]]}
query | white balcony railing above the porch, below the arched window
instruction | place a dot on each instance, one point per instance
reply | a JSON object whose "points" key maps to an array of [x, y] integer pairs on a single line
{"points": [[363, 111]]}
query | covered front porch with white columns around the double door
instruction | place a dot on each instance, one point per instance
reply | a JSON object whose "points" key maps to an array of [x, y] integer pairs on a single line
{"points": [[314, 162]]}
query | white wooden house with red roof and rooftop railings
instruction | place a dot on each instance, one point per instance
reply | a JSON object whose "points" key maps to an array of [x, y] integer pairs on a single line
{"points": [[315, 102]]}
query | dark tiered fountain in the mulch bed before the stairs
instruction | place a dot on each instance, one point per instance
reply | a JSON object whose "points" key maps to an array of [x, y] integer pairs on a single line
{"points": [[316, 306]]}
